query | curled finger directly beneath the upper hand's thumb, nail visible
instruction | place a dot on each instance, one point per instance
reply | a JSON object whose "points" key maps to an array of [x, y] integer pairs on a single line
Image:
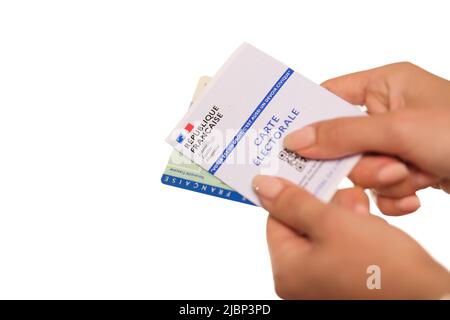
{"points": [[376, 171]]}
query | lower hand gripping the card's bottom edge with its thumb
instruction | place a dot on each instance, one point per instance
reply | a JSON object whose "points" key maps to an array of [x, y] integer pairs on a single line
{"points": [[323, 251]]}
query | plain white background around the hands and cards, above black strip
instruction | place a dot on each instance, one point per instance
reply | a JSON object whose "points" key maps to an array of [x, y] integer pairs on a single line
{"points": [[90, 89]]}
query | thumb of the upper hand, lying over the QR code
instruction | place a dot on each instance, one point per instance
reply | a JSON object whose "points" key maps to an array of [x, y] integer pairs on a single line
{"points": [[346, 136]]}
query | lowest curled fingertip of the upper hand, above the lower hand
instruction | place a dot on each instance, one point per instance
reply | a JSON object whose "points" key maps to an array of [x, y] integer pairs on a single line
{"points": [[396, 207]]}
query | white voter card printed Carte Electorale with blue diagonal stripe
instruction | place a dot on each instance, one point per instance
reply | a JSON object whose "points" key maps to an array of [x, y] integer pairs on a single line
{"points": [[235, 129]]}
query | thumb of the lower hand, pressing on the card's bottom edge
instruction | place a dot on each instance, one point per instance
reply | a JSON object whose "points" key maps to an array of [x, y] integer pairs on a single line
{"points": [[289, 204]]}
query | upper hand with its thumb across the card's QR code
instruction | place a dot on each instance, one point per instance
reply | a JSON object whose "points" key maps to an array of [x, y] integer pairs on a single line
{"points": [[410, 122]]}
